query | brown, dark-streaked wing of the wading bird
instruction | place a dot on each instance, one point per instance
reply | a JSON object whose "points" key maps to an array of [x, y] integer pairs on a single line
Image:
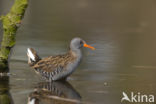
{"points": [[52, 63]]}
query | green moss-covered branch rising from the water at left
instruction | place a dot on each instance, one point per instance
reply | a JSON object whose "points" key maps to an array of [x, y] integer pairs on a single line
{"points": [[11, 23]]}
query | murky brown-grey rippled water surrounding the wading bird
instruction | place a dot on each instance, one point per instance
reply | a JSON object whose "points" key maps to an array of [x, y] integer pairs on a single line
{"points": [[122, 31]]}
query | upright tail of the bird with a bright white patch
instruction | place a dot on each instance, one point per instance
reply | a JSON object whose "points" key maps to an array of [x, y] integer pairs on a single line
{"points": [[33, 57]]}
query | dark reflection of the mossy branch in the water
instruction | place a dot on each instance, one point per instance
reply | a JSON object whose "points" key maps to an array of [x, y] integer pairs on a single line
{"points": [[5, 96]]}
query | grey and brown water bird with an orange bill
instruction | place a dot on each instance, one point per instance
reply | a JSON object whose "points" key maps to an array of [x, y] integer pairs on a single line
{"points": [[58, 67]]}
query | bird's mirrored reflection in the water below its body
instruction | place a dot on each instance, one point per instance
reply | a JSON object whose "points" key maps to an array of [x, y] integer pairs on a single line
{"points": [[54, 92]]}
